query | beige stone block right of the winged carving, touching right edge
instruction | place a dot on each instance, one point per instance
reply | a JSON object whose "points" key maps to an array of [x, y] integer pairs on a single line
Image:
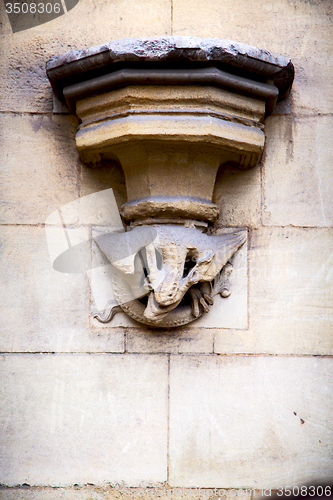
{"points": [[290, 294]]}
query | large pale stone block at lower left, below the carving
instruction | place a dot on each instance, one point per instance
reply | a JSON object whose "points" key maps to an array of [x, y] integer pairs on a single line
{"points": [[78, 419]]}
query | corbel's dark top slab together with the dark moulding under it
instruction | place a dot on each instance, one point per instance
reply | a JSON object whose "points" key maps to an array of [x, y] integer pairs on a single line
{"points": [[71, 74]]}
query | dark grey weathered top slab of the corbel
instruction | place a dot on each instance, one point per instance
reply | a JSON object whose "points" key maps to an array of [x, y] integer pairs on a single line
{"points": [[79, 66]]}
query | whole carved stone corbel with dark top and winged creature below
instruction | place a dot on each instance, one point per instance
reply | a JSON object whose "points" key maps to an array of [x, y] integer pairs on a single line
{"points": [[171, 110]]}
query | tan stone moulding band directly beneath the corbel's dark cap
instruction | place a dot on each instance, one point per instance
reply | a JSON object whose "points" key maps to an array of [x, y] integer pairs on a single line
{"points": [[152, 97]]}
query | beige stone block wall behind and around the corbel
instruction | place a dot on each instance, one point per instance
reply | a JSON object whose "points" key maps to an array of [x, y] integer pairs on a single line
{"points": [[89, 410]]}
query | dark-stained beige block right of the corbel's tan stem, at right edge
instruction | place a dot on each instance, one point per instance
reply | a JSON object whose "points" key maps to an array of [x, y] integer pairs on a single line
{"points": [[298, 180]]}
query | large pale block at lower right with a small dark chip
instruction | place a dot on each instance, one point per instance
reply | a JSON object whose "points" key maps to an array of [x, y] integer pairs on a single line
{"points": [[262, 422]]}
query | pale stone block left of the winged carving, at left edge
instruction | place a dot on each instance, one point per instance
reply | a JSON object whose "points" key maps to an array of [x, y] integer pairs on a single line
{"points": [[43, 309]]}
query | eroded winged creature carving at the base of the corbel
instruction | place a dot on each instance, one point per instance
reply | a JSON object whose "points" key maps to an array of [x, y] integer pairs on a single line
{"points": [[168, 273]]}
